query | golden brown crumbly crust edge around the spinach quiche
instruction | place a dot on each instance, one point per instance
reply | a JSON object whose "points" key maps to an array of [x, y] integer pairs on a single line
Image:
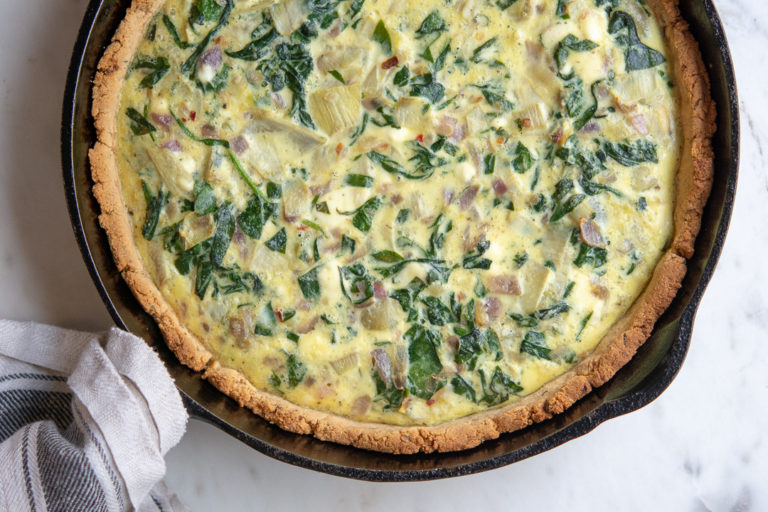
{"points": [[694, 179]]}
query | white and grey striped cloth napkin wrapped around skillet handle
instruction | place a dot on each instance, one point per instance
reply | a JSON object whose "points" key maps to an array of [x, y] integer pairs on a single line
{"points": [[85, 420]]}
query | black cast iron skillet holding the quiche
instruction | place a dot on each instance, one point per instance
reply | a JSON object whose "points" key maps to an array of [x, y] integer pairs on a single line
{"points": [[641, 381]]}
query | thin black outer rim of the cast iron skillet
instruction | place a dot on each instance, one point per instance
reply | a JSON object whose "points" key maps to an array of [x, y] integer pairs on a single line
{"points": [[605, 411]]}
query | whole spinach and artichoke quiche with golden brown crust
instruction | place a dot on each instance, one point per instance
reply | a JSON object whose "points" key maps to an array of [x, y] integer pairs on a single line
{"points": [[404, 227]]}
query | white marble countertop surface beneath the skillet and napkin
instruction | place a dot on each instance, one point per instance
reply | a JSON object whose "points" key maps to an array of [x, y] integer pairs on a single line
{"points": [[702, 446]]}
